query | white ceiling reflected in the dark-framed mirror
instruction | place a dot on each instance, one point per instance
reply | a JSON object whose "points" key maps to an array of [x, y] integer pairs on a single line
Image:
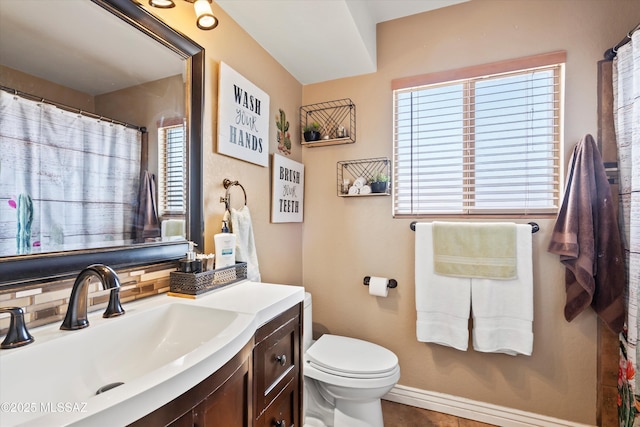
{"points": [[48, 38]]}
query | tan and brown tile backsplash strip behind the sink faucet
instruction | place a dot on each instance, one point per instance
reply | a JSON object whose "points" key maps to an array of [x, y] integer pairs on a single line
{"points": [[47, 302]]}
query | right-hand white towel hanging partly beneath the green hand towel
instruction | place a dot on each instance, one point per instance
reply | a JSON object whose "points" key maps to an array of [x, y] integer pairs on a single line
{"points": [[503, 309]]}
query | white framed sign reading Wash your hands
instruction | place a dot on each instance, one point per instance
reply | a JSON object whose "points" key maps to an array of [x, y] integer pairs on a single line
{"points": [[243, 118]]}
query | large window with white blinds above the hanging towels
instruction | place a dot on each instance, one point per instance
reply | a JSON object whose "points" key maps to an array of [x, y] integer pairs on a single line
{"points": [[479, 141]]}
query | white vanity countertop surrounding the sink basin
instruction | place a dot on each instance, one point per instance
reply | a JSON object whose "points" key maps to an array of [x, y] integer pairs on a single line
{"points": [[255, 303]]}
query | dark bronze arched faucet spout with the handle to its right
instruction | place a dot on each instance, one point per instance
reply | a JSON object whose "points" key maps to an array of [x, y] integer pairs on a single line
{"points": [[76, 317]]}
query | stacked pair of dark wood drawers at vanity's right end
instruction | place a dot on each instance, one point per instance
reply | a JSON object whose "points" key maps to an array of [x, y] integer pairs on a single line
{"points": [[277, 371]]}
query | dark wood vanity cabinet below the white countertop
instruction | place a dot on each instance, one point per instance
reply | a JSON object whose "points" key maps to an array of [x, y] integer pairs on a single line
{"points": [[259, 386]]}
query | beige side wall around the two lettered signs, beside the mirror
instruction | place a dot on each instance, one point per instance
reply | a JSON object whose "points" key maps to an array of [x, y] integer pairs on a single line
{"points": [[279, 245]]}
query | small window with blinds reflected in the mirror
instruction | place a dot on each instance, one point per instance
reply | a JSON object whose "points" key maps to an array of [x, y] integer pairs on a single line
{"points": [[172, 187]]}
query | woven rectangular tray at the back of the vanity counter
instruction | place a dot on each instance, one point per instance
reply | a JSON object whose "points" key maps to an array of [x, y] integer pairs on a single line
{"points": [[190, 285]]}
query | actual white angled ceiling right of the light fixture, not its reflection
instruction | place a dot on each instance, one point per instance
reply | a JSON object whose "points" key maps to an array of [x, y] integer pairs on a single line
{"points": [[321, 40]]}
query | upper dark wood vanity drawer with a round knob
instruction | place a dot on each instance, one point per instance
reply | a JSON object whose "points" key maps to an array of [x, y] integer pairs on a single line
{"points": [[276, 357]]}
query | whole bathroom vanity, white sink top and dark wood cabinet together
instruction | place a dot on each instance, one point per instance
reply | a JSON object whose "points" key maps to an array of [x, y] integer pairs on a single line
{"points": [[231, 357]]}
